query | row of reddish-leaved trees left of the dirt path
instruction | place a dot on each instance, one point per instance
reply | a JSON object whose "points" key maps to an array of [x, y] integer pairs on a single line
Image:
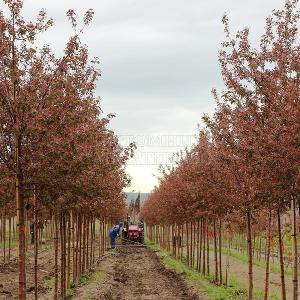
{"points": [[58, 159]]}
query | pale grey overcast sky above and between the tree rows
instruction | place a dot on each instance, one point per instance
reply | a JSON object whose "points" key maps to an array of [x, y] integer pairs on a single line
{"points": [[158, 60]]}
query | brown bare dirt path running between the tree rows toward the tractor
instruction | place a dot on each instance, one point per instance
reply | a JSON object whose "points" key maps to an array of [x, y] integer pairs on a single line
{"points": [[136, 273]]}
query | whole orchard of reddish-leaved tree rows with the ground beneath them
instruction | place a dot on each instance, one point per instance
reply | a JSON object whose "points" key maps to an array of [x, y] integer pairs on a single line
{"points": [[224, 219]]}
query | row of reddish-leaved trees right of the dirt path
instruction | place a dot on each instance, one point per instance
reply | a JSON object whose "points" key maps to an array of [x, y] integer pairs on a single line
{"points": [[247, 158]]}
